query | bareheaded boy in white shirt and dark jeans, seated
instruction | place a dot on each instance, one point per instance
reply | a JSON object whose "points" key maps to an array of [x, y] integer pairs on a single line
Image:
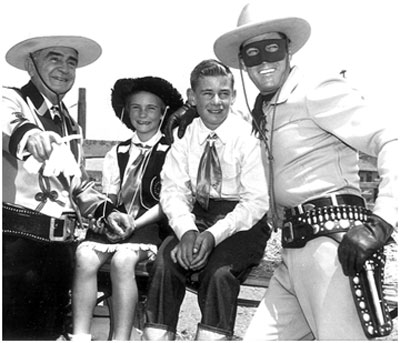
{"points": [[219, 231]]}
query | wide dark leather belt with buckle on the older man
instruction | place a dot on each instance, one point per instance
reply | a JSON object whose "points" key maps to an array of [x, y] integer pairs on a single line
{"points": [[26, 223]]}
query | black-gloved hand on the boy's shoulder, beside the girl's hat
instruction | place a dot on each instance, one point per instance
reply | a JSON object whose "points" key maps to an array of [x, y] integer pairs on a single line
{"points": [[182, 117]]}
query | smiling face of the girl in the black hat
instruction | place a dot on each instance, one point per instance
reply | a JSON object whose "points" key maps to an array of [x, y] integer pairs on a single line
{"points": [[145, 111]]}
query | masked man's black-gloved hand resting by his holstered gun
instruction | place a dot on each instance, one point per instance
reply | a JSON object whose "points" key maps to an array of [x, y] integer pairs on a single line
{"points": [[361, 241]]}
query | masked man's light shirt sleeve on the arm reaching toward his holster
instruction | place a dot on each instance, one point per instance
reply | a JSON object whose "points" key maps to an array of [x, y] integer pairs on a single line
{"points": [[341, 110]]}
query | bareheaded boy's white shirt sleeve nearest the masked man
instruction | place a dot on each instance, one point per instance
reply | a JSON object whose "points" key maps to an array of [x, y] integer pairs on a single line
{"points": [[253, 193]]}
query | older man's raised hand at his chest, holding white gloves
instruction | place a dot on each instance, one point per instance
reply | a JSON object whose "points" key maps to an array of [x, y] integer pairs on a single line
{"points": [[39, 144]]}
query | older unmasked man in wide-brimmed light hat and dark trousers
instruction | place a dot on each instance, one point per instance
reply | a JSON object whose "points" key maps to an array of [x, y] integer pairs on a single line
{"points": [[44, 192]]}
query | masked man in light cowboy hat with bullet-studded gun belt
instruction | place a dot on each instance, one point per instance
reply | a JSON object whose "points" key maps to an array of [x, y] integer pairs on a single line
{"points": [[312, 136]]}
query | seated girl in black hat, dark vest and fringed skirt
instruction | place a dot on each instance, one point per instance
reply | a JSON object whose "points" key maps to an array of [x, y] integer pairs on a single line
{"points": [[131, 180]]}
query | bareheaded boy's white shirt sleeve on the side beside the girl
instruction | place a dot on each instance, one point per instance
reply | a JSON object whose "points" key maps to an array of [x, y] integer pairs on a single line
{"points": [[176, 193]]}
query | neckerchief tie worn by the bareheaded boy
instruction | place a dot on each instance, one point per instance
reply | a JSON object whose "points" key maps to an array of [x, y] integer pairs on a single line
{"points": [[209, 173]]}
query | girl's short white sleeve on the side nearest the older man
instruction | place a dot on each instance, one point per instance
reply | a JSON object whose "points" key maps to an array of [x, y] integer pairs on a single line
{"points": [[111, 182]]}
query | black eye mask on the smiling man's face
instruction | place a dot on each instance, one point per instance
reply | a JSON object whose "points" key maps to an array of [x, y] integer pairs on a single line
{"points": [[256, 53]]}
